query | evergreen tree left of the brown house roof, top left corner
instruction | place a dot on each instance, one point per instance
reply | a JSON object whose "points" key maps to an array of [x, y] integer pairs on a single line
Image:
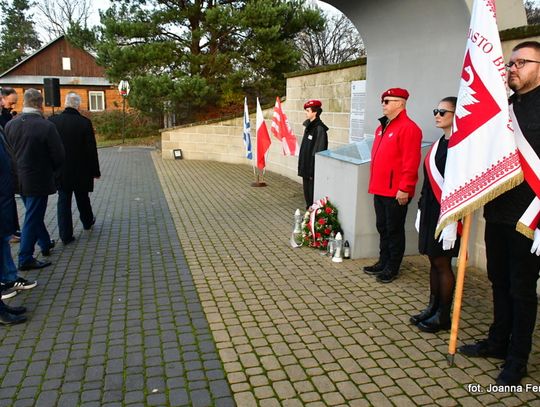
{"points": [[18, 38]]}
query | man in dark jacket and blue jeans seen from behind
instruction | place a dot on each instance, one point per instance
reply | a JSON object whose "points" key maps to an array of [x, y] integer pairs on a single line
{"points": [[39, 154]]}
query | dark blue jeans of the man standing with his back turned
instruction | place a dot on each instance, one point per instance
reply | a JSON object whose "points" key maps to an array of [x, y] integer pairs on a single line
{"points": [[34, 229]]}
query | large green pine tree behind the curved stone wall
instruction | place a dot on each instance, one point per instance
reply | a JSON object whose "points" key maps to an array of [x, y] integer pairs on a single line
{"points": [[193, 57]]}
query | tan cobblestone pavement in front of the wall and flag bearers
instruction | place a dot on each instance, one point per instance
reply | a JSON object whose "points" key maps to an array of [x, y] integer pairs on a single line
{"points": [[293, 329]]}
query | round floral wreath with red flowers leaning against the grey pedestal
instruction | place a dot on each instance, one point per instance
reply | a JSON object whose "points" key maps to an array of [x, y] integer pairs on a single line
{"points": [[320, 220]]}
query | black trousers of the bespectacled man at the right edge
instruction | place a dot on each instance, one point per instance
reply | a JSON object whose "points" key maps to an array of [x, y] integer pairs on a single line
{"points": [[513, 272]]}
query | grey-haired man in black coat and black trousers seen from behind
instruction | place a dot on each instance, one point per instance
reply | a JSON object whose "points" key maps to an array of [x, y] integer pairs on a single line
{"points": [[79, 169]]}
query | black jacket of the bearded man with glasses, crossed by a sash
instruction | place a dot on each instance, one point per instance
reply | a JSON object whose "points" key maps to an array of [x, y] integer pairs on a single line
{"points": [[510, 206]]}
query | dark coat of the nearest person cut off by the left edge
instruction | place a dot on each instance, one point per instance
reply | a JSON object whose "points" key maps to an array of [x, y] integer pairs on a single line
{"points": [[7, 199]]}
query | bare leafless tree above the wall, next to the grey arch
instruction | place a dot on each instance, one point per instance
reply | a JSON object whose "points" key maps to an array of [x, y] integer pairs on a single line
{"points": [[338, 42]]}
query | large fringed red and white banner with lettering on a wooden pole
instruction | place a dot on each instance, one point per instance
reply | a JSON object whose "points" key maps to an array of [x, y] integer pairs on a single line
{"points": [[482, 160]]}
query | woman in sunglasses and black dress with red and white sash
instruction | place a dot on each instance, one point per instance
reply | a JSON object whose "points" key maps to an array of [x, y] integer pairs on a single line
{"points": [[436, 316]]}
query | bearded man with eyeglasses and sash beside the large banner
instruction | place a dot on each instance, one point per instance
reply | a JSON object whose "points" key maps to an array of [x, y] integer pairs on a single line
{"points": [[512, 263]]}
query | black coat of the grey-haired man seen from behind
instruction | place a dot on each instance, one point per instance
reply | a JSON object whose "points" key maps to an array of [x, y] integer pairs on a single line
{"points": [[82, 163]]}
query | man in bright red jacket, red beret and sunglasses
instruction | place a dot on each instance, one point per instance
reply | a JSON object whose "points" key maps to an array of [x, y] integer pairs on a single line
{"points": [[395, 157]]}
